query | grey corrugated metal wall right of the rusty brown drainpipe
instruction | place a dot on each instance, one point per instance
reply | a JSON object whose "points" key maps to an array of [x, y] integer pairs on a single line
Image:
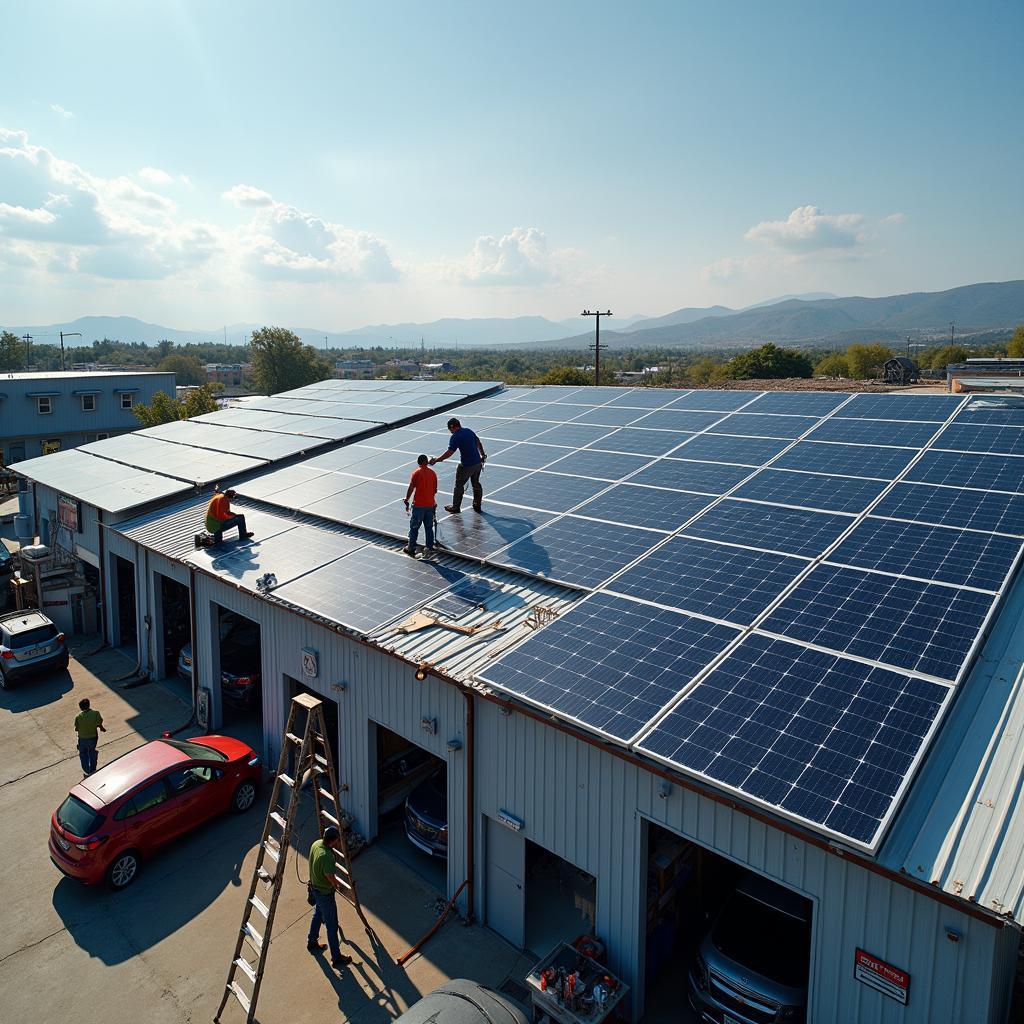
{"points": [[589, 807]]}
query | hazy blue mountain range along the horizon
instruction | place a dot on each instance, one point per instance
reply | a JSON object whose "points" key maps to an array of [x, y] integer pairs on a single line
{"points": [[809, 319]]}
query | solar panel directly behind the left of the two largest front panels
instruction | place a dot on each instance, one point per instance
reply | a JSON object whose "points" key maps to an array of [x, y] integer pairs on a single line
{"points": [[734, 584]]}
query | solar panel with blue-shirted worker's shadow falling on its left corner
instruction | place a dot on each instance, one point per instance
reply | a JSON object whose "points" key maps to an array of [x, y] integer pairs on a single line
{"points": [[582, 553]]}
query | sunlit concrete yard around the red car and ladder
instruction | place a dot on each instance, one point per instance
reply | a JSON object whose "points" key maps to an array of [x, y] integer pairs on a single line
{"points": [[159, 952]]}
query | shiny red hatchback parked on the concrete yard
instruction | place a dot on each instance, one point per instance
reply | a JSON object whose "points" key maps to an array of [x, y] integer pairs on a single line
{"points": [[118, 817]]}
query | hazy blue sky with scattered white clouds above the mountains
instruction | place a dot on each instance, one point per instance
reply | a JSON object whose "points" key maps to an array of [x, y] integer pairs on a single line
{"points": [[334, 164]]}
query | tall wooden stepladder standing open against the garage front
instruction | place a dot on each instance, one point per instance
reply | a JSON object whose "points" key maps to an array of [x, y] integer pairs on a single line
{"points": [[310, 754]]}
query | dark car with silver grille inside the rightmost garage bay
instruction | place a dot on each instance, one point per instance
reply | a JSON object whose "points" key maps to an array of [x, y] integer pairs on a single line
{"points": [[752, 967]]}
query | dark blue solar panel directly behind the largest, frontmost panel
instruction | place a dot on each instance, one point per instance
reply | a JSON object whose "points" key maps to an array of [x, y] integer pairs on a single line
{"points": [[924, 627]]}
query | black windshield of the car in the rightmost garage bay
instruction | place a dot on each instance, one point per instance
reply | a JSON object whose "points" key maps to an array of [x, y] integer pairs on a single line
{"points": [[764, 941]]}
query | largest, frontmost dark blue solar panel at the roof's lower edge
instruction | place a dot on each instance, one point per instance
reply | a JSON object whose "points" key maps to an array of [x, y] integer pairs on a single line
{"points": [[818, 737]]}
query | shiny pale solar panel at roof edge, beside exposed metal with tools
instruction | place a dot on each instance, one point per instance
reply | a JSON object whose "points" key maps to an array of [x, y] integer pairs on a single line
{"points": [[369, 588]]}
